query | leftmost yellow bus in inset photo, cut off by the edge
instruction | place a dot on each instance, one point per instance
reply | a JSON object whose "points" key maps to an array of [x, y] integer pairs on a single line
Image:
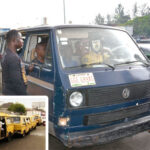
{"points": [[6, 126]]}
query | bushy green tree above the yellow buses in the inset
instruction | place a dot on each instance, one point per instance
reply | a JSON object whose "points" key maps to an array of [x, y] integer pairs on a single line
{"points": [[20, 108]]}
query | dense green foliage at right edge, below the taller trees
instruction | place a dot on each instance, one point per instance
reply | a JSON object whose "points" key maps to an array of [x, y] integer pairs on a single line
{"points": [[141, 25]]}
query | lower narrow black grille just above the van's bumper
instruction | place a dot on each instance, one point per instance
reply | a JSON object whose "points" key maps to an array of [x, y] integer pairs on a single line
{"points": [[108, 117]]}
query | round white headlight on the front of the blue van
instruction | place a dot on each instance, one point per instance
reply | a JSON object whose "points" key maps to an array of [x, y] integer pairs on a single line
{"points": [[76, 99]]}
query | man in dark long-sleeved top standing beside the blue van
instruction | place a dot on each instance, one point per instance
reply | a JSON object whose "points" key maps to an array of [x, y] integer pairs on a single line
{"points": [[13, 73]]}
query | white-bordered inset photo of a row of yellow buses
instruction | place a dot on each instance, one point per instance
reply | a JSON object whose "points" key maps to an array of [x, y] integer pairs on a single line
{"points": [[23, 122]]}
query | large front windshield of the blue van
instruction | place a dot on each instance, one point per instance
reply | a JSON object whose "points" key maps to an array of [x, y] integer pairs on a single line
{"points": [[96, 47]]}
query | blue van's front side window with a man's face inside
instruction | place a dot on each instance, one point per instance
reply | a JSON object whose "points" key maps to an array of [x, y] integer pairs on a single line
{"points": [[37, 49]]}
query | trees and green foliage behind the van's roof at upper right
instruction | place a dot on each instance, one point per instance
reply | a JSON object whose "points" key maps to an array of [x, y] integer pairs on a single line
{"points": [[140, 19]]}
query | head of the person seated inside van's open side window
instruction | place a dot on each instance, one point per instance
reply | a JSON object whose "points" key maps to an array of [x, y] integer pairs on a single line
{"points": [[40, 50]]}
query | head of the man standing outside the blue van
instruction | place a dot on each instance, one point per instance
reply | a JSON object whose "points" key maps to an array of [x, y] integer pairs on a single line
{"points": [[14, 39]]}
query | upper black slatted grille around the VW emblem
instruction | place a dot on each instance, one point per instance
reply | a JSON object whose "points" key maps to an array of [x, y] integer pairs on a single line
{"points": [[113, 95]]}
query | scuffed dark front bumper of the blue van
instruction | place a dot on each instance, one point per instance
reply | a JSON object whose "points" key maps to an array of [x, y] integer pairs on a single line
{"points": [[108, 134]]}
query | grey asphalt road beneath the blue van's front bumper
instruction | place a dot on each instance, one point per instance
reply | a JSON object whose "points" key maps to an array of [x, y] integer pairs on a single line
{"points": [[140, 141]]}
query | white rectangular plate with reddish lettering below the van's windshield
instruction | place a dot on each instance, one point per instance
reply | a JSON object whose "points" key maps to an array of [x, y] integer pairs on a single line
{"points": [[82, 79]]}
